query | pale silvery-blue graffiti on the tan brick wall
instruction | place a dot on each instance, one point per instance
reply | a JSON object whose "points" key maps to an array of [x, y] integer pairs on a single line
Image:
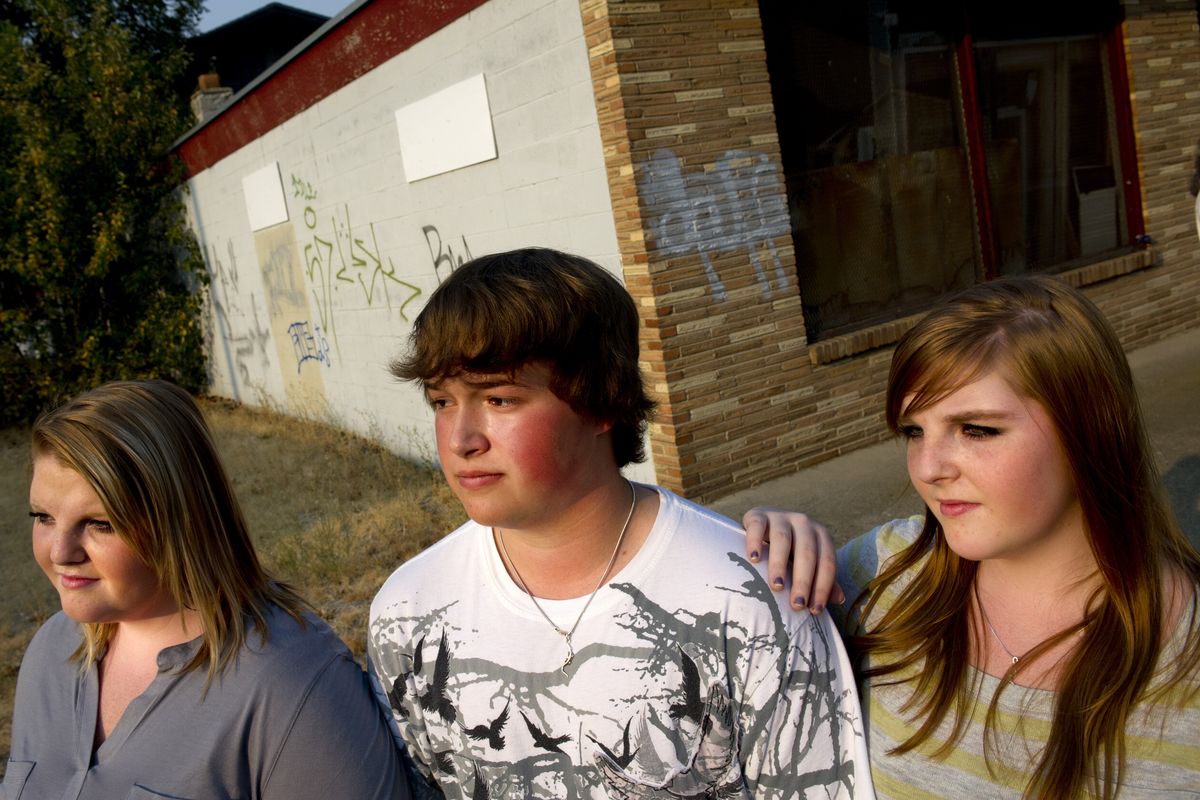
{"points": [[739, 206]]}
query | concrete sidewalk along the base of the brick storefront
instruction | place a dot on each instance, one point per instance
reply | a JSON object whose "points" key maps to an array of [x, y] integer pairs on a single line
{"points": [[856, 492]]}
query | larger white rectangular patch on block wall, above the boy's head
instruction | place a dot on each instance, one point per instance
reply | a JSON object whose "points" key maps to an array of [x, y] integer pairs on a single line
{"points": [[446, 131]]}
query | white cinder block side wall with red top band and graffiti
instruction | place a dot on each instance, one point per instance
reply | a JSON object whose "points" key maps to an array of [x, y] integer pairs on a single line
{"points": [[305, 315]]}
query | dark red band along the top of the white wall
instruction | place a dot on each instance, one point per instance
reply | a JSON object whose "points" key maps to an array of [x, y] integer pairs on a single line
{"points": [[371, 35]]}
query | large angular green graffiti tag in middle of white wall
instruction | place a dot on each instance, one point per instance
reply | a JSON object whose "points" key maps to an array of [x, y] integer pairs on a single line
{"points": [[338, 256]]}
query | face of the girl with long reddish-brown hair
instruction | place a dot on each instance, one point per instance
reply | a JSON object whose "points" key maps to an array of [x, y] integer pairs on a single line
{"points": [[989, 465]]}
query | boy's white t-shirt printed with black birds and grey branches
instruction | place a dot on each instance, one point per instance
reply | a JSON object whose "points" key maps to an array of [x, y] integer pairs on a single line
{"points": [[691, 678]]}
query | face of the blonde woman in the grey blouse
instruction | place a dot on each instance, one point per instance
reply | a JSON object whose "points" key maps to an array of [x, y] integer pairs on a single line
{"points": [[99, 579]]}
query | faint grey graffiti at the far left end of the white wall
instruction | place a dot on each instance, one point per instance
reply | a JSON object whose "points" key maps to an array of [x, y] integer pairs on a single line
{"points": [[243, 344]]}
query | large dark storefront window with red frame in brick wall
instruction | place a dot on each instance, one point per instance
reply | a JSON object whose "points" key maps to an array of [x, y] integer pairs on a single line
{"points": [[911, 175]]}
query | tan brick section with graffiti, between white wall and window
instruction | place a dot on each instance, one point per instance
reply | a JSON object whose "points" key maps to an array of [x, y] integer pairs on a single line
{"points": [[697, 184]]}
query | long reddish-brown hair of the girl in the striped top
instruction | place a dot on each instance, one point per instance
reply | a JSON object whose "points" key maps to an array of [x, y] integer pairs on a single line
{"points": [[1058, 350]]}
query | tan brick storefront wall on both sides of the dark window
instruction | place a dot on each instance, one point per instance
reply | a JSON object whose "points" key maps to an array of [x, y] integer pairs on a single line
{"points": [[694, 172]]}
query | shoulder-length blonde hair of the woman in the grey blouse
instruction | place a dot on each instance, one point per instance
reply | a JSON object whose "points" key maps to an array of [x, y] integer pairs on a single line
{"points": [[146, 450]]}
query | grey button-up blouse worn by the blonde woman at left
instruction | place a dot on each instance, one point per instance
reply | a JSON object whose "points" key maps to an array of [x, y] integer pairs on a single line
{"points": [[293, 718]]}
